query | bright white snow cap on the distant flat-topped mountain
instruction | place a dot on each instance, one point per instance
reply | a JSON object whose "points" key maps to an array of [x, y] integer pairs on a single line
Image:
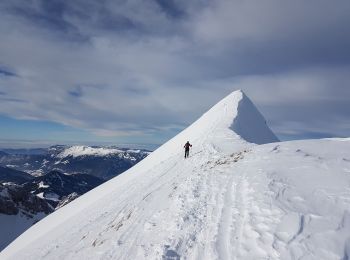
{"points": [[76, 151]]}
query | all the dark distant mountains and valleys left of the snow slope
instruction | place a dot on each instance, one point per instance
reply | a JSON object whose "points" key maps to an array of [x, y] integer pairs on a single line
{"points": [[36, 182]]}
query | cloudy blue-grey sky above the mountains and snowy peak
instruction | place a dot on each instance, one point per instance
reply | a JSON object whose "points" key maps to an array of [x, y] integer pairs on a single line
{"points": [[134, 71]]}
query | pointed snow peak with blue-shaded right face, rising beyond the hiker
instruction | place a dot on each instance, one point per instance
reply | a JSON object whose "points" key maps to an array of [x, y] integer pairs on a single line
{"points": [[234, 116]]}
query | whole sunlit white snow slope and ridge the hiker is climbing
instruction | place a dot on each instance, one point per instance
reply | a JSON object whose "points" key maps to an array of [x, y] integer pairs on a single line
{"points": [[230, 200]]}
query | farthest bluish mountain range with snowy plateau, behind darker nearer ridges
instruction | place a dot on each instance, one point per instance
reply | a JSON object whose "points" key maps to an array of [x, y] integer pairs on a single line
{"points": [[101, 162]]}
